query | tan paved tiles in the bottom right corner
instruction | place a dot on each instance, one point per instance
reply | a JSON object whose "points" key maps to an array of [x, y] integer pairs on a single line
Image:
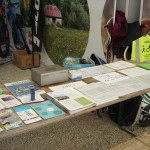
{"points": [[139, 143]]}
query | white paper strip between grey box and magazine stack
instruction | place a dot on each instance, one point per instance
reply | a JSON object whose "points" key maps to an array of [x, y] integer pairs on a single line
{"points": [[76, 84]]}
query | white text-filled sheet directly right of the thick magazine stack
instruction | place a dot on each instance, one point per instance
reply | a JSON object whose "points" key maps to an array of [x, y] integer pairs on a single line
{"points": [[98, 92]]}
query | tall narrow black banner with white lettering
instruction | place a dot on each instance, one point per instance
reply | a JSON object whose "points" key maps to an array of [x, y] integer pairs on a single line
{"points": [[37, 24]]}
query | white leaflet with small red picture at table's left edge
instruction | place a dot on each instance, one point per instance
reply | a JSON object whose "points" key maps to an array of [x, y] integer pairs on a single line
{"points": [[9, 101]]}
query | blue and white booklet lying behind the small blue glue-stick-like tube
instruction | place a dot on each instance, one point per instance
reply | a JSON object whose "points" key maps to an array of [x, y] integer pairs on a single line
{"points": [[21, 88]]}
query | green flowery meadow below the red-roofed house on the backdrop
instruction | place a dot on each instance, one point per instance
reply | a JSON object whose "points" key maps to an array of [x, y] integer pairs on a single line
{"points": [[60, 43]]}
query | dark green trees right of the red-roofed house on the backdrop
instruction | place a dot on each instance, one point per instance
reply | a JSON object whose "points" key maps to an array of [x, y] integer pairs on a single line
{"points": [[74, 12]]}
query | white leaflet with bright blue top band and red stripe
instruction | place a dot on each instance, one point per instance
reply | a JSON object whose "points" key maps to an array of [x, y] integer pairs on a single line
{"points": [[27, 114]]}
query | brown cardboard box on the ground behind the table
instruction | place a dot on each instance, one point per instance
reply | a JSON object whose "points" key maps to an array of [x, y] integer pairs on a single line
{"points": [[23, 60]]}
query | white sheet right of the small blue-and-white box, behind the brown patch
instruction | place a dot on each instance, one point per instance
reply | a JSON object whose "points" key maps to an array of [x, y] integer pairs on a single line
{"points": [[94, 71]]}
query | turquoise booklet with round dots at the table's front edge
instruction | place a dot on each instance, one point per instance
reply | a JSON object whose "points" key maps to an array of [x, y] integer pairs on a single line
{"points": [[47, 109]]}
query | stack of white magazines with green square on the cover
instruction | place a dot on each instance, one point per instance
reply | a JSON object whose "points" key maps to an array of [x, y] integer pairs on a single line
{"points": [[71, 100]]}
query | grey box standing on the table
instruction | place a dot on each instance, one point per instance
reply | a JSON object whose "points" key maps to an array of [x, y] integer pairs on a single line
{"points": [[47, 75]]}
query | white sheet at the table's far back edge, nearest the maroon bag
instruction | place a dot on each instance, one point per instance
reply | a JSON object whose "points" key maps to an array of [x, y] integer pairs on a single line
{"points": [[120, 65]]}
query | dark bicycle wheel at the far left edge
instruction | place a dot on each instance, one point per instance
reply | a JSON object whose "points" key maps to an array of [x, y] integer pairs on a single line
{"points": [[4, 40]]}
